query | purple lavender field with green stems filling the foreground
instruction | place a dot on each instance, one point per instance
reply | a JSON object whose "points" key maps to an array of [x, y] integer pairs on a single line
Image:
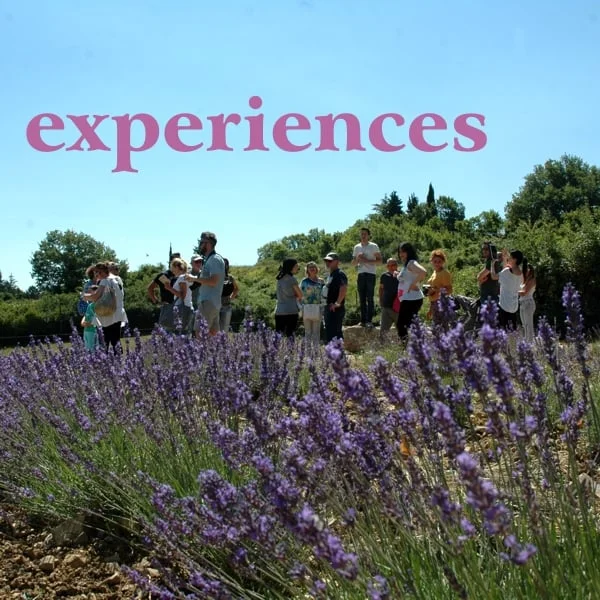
{"points": [[251, 467]]}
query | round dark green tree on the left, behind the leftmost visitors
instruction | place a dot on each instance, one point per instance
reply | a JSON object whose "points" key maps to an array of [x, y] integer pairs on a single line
{"points": [[59, 265]]}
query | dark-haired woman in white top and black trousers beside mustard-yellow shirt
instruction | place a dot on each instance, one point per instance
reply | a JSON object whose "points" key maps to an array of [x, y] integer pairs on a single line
{"points": [[409, 287]]}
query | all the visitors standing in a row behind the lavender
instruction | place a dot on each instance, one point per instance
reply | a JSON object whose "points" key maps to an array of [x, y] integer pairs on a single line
{"points": [[203, 291]]}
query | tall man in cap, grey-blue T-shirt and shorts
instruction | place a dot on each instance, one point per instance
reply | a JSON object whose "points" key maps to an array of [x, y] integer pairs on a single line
{"points": [[211, 279]]}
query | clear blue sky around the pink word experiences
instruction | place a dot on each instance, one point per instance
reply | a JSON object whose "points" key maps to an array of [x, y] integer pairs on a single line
{"points": [[532, 68]]}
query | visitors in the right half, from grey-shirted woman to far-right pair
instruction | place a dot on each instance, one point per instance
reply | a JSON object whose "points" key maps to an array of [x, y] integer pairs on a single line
{"points": [[507, 279]]}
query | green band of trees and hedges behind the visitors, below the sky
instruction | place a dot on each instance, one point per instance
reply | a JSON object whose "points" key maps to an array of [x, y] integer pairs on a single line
{"points": [[554, 219]]}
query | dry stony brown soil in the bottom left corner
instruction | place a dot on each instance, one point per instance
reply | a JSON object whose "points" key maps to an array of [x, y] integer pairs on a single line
{"points": [[46, 561]]}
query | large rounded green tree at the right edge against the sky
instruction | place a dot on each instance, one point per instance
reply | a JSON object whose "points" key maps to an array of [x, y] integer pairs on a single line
{"points": [[554, 189]]}
